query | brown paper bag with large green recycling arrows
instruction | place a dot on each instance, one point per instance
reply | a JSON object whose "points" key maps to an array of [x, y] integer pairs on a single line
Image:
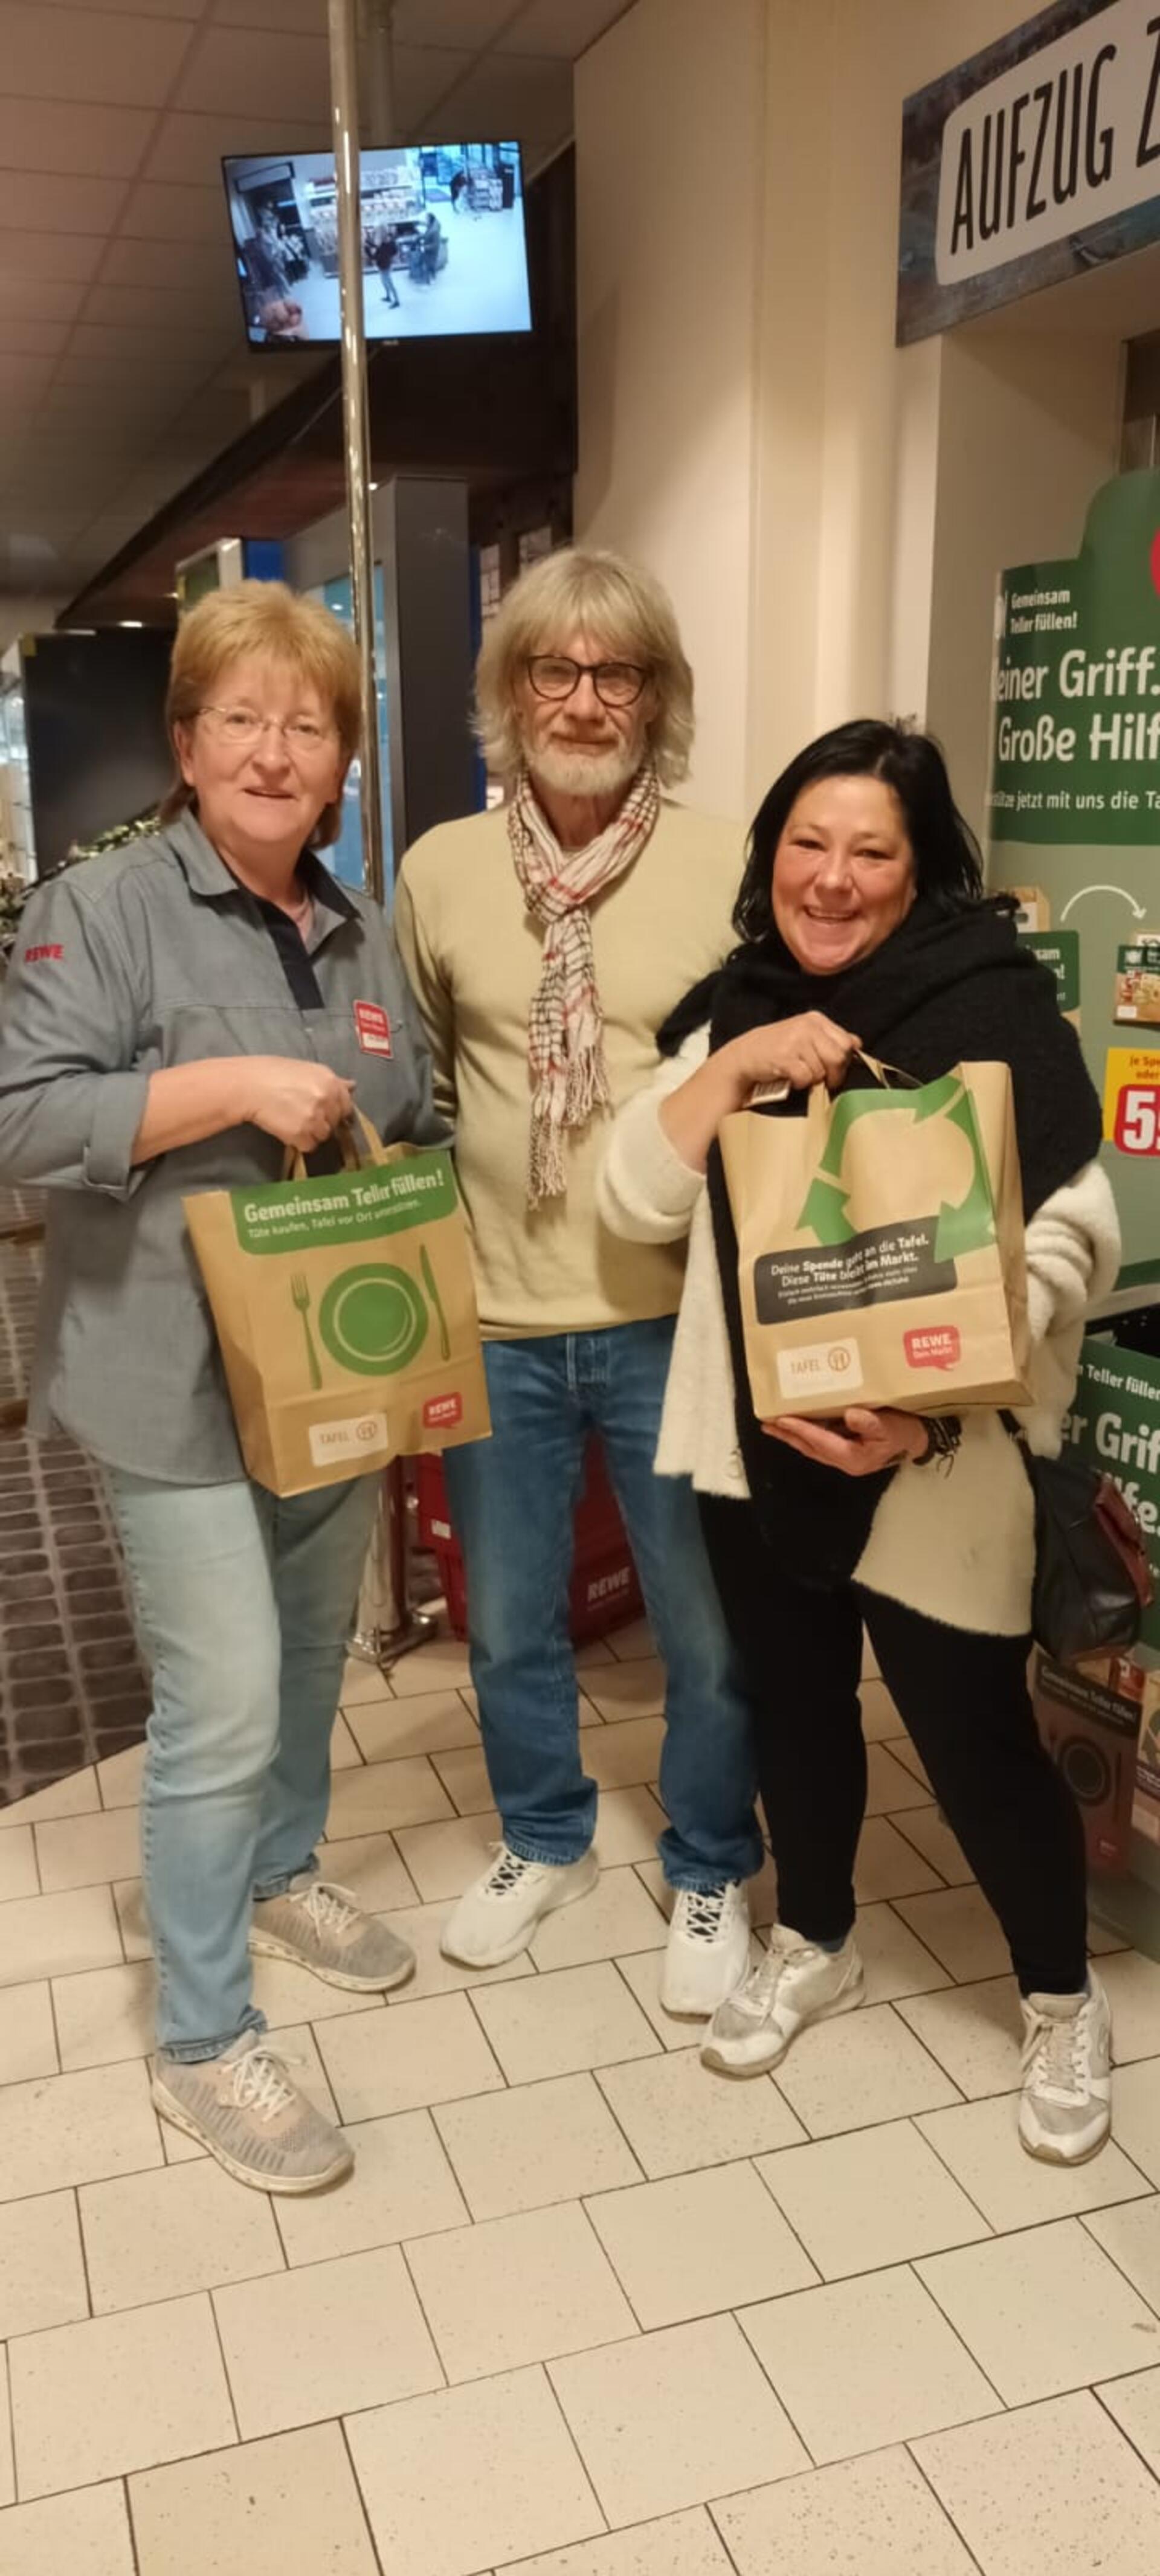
{"points": [[883, 1248]]}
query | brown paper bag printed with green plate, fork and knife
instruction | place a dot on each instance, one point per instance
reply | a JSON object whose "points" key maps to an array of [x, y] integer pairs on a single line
{"points": [[347, 1315]]}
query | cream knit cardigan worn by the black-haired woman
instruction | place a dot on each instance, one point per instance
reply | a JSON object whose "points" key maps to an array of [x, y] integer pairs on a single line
{"points": [[958, 1547]]}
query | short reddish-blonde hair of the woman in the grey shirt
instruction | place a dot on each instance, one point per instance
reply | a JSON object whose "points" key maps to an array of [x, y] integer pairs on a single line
{"points": [[264, 620]]}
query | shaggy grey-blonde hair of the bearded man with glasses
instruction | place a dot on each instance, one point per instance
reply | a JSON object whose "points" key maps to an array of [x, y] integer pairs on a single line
{"points": [[625, 614]]}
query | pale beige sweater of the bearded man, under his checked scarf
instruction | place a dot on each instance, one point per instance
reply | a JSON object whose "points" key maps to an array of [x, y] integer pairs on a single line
{"points": [[473, 960]]}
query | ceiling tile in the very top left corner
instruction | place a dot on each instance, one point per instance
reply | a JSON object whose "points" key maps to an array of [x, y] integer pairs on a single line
{"points": [[76, 53]]}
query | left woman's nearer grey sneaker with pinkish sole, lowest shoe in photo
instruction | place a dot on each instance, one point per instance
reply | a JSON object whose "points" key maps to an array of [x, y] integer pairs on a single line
{"points": [[254, 2119]]}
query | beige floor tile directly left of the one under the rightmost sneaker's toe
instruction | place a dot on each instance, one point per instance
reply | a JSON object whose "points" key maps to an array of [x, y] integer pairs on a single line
{"points": [[870, 2199]]}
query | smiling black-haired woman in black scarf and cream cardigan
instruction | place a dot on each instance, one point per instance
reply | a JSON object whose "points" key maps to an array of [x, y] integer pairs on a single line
{"points": [[865, 926]]}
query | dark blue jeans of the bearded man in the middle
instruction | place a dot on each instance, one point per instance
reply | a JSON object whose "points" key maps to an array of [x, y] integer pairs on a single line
{"points": [[512, 1506]]}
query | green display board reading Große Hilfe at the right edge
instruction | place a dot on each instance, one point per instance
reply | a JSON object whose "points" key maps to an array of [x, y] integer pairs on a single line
{"points": [[1074, 818]]}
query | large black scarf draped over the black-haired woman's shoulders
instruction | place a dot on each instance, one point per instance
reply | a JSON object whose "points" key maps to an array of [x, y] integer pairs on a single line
{"points": [[942, 990]]}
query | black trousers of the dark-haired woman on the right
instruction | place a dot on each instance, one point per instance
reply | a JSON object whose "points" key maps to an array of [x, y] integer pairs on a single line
{"points": [[965, 1707]]}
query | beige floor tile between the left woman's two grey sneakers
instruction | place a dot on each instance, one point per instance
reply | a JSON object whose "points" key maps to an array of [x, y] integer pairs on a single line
{"points": [[411, 2057]]}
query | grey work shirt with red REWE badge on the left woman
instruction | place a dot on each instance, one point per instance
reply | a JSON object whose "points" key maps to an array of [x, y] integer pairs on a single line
{"points": [[133, 962]]}
